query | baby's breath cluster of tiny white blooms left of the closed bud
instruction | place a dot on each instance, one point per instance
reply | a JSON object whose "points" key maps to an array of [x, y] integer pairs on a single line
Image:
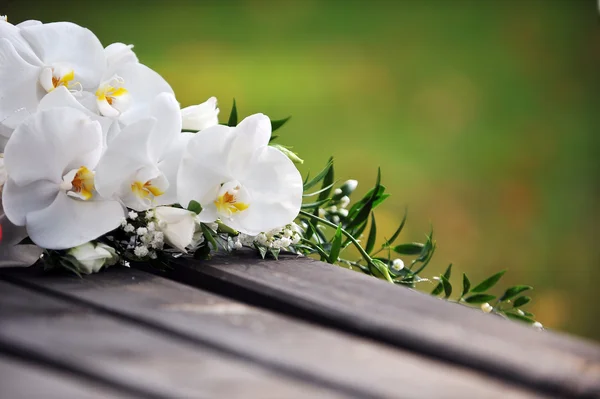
{"points": [[146, 238]]}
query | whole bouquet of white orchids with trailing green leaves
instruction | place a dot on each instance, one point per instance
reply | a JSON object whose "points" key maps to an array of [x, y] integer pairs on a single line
{"points": [[101, 166]]}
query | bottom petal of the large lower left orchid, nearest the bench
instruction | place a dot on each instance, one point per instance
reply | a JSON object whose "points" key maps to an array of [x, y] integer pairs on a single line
{"points": [[69, 222]]}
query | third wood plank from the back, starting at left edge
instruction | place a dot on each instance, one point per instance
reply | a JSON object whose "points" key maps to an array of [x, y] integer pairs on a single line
{"points": [[138, 361]]}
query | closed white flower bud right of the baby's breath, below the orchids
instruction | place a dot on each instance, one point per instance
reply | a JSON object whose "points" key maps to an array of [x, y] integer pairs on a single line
{"points": [[178, 225]]}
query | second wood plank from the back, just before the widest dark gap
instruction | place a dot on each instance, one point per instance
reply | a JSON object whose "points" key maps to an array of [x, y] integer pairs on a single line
{"points": [[351, 365]]}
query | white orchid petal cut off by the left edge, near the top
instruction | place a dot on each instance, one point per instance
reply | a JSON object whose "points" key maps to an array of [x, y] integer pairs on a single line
{"points": [[20, 92]]}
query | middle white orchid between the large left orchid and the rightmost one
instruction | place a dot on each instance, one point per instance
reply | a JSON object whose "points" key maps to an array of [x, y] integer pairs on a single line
{"points": [[140, 165]]}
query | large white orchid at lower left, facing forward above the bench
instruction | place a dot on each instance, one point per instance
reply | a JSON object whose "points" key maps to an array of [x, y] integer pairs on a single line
{"points": [[50, 160]]}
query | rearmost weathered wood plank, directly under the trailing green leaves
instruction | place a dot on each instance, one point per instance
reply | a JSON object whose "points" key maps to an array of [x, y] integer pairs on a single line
{"points": [[404, 318]]}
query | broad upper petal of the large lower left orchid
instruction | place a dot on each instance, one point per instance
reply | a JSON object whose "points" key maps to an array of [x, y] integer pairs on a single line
{"points": [[51, 143]]}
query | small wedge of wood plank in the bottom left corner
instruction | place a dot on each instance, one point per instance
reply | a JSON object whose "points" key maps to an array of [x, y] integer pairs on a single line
{"points": [[26, 380]]}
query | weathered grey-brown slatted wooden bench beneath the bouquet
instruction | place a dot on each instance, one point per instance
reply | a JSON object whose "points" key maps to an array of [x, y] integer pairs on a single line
{"points": [[242, 327]]}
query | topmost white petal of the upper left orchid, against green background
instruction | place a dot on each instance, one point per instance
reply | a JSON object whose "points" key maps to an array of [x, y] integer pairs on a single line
{"points": [[68, 44]]}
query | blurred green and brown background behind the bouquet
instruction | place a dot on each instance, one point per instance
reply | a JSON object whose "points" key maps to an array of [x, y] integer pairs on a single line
{"points": [[483, 115]]}
